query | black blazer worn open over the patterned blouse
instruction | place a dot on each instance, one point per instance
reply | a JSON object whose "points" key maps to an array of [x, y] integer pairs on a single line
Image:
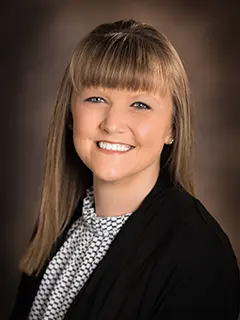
{"points": [[171, 260]]}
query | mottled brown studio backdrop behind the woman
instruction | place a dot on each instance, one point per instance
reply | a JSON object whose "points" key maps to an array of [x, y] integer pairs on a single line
{"points": [[37, 38]]}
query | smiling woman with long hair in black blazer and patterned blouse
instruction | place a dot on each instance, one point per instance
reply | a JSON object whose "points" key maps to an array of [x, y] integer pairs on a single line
{"points": [[120, 234]]}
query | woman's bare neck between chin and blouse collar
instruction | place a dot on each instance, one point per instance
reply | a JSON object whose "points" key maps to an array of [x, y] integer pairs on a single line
{"points": [[123, 196]]}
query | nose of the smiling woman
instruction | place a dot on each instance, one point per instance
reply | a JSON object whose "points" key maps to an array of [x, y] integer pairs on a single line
{"points": [[115, 121]]}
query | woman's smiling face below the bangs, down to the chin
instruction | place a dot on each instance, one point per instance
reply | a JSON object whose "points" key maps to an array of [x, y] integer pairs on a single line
{"points": [[120, 134]]}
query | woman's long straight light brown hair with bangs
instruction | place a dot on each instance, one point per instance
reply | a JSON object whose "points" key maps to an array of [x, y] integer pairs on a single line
{"points": [[126, 55]]}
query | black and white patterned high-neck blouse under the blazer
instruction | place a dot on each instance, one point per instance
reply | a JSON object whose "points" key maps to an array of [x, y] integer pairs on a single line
{"points": [[87, 242]]}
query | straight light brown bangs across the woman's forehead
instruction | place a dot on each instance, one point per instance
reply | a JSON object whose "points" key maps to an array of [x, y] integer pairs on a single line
{"points": [[120, 61]]}
